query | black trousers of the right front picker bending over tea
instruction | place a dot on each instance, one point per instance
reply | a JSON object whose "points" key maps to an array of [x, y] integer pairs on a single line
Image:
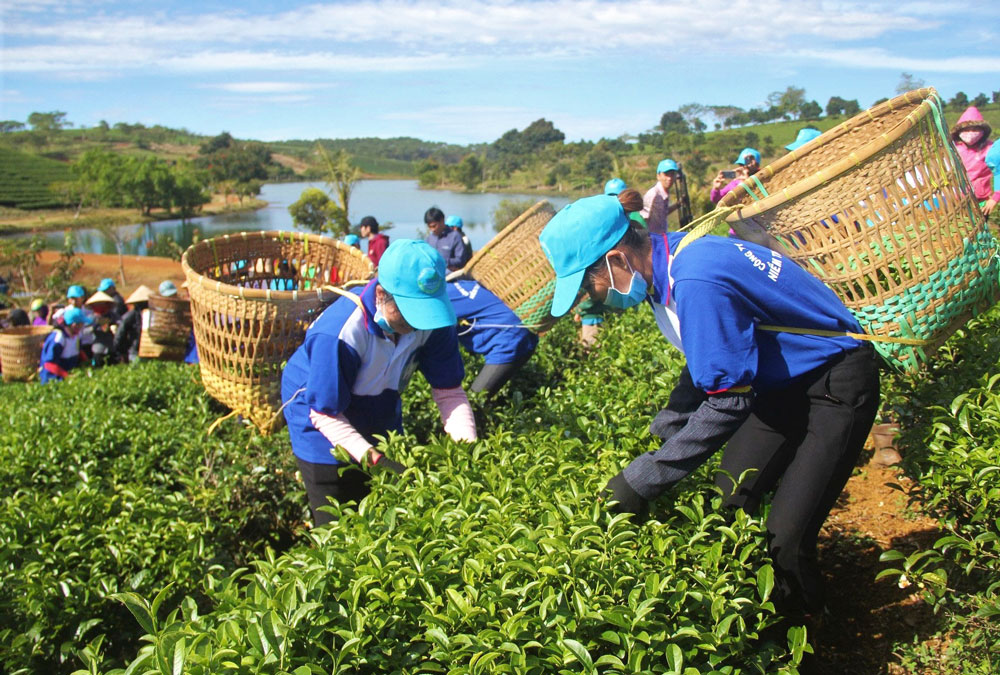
{"points": [[804, 442]]}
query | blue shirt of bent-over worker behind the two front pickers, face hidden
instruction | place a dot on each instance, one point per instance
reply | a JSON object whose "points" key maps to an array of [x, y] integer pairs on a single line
{"points": [[495, 329]]}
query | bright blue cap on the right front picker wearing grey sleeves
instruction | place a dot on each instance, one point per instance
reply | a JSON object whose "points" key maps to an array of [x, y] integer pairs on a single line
{"points": [[576, 238]]}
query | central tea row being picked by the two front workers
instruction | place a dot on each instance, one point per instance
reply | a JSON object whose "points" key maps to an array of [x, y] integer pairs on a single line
{"points": [[497, 556]]}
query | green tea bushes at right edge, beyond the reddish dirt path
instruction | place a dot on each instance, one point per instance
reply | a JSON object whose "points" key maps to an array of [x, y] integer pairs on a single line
{"points": [[951, 419]]}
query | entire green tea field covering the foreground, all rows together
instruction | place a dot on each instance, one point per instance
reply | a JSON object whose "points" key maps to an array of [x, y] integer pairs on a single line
{"points": [[130, 541]]}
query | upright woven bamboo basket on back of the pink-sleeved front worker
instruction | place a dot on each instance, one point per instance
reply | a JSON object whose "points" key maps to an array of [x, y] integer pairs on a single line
{"points": [[253, 295]]}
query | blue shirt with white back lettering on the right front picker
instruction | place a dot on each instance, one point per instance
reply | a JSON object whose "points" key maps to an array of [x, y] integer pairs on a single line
{"points": [[723, 289]]}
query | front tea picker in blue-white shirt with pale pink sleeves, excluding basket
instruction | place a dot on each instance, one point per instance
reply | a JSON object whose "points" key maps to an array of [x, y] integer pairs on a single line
{"points": [[343, 385]]}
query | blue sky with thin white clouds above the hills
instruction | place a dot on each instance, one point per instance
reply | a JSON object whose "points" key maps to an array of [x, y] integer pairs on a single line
{"points": [[467, 71]]}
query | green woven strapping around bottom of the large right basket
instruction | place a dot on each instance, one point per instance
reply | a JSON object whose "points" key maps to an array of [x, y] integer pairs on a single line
{"points": [[976, 276]]}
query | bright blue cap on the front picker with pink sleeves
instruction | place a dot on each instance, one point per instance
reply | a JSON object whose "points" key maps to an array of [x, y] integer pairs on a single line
{"points": [[413, 273]]}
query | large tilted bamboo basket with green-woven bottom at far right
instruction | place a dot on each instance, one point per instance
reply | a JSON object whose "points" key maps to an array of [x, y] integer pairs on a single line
{"points": [[881, 209]]}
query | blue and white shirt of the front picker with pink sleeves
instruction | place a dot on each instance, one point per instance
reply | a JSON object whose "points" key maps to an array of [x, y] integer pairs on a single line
{"points": [[347, 365]]}
